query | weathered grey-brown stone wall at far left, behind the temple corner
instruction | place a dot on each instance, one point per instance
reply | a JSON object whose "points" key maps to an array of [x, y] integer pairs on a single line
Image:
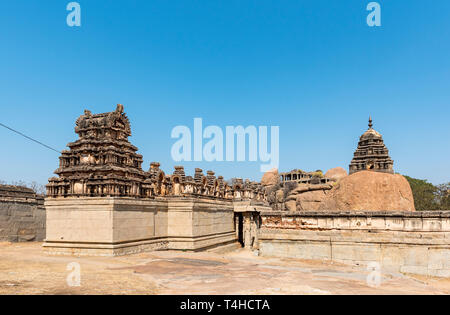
{"points": [[22, 215]]}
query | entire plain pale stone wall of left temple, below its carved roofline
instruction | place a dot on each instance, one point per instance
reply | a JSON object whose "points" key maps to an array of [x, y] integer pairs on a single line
{"points": [[110, 226]]}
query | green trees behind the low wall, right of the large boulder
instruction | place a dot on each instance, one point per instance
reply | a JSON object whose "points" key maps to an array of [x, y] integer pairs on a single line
{"points": [[429, 197]]}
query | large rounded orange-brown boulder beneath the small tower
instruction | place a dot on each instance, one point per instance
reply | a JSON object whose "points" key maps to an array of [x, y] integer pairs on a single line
{"points": [[370, 191]]}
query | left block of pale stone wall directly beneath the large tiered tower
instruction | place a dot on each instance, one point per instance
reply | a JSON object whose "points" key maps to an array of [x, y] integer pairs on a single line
{"points": [[105, 226]]}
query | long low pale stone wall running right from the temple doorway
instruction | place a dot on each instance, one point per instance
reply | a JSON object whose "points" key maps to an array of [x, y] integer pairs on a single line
{"points": [[407, 242]]}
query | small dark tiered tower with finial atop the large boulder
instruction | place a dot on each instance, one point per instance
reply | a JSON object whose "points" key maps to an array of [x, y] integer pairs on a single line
{"points": [[371, 153]]}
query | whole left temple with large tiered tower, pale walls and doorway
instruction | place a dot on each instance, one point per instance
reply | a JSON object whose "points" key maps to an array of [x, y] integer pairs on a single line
{"points": [[103, 203]]}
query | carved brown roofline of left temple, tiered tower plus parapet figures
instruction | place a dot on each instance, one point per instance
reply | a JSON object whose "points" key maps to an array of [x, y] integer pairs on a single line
{"points": [[103, 163]]}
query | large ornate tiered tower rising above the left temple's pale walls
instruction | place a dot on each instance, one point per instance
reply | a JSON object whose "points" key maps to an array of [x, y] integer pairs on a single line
{"points": [[102, 162]]}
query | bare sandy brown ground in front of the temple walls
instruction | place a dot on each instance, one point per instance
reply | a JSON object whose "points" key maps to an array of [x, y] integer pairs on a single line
{"points": [[25, 269]]}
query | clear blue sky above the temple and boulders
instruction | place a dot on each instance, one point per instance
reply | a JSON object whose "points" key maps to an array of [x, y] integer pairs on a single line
{"points": [[312, 67]]}
